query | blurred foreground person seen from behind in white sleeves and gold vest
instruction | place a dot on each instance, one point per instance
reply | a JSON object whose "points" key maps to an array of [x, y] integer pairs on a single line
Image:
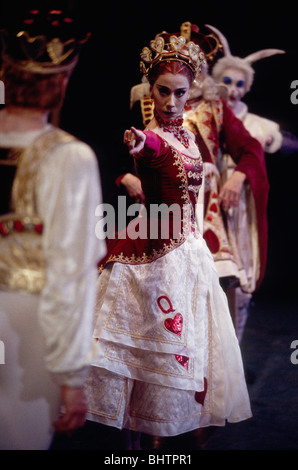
{"points": [[50, 187]]}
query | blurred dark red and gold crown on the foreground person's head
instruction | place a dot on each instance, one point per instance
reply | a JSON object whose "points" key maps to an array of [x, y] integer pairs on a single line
{"points": [[45, 42]]}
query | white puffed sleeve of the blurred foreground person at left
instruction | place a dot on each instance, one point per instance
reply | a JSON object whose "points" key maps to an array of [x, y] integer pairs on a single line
{"points": [[68, 192]]}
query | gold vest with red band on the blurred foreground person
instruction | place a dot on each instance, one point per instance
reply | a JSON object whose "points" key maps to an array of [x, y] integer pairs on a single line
{"points": [[22, 263]]}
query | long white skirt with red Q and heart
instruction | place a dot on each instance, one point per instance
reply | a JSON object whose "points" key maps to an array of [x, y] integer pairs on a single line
{"points": [[167, 358]]}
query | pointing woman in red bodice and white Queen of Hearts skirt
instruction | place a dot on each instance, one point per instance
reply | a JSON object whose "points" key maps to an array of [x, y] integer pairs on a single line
{"points": [[168, 360]]}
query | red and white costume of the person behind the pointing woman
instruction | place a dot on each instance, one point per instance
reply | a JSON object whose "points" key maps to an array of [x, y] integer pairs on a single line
{"points": [[237, 238]]}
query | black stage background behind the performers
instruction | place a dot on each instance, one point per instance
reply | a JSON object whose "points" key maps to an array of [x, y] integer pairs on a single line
{"points": [[96, 107]]}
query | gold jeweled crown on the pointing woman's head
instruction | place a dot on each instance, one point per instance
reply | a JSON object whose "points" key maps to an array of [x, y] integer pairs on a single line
{"points": [[168, 47]]}
